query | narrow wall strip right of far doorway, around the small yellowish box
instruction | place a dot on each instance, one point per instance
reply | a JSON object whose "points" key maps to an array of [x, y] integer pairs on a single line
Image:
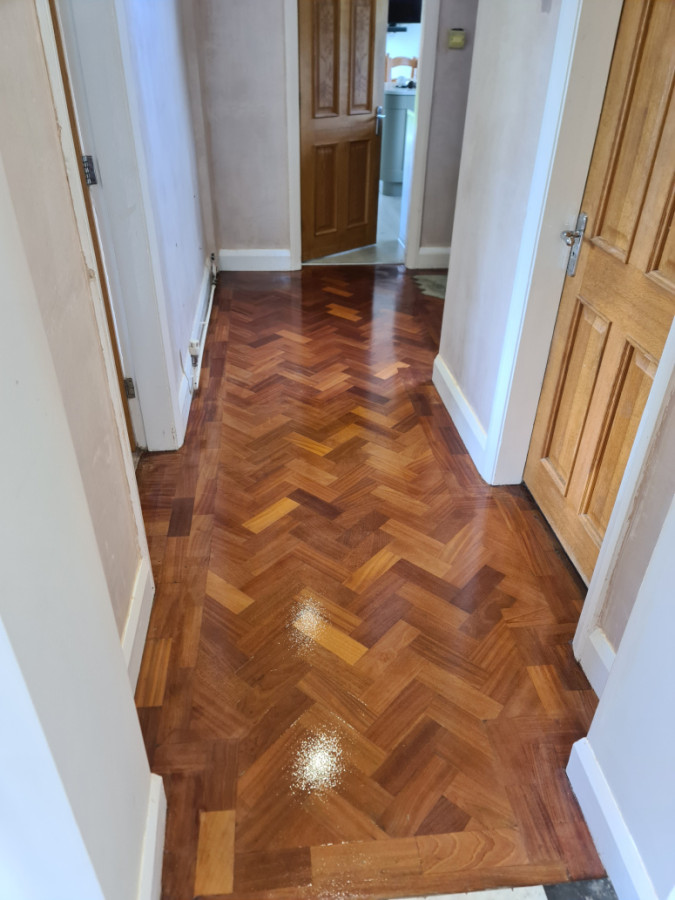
{"points": [[448, 111]]}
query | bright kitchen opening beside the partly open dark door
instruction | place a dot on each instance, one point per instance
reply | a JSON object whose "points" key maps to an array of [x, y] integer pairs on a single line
{"points": [[395, 70]]}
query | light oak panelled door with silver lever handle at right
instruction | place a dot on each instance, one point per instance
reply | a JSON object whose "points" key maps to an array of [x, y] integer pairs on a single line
{"points": [[616, 311]]}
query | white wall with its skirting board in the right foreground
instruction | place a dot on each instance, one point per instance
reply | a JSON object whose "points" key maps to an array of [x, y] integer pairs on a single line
{"points": [[623, 773]]}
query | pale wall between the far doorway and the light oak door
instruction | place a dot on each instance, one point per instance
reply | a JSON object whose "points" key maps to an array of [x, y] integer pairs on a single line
{"points": [[514, 47]]}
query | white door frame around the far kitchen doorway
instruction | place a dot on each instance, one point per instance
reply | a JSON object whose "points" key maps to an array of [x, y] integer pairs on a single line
{"points": [[425, 88]]}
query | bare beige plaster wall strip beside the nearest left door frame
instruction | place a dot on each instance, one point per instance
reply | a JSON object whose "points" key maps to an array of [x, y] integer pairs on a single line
{"points": [[31, 153]]}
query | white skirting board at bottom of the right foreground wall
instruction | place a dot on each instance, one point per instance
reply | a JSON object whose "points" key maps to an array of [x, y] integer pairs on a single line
{"points": [[613, 840]]}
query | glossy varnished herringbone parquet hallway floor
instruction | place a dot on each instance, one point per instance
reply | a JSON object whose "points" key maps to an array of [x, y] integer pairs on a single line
{"points": [[358, 681]]}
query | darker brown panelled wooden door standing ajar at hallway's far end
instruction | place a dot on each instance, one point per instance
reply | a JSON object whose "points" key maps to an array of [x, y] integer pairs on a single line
{"points": [[340, 88]]}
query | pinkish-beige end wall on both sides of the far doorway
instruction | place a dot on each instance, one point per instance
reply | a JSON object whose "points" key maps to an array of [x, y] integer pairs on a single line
{"points": [[236, 71]]}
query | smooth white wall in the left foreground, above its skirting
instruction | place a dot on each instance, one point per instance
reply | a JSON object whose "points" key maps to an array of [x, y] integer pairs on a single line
{"points": [[56, 611]]}
